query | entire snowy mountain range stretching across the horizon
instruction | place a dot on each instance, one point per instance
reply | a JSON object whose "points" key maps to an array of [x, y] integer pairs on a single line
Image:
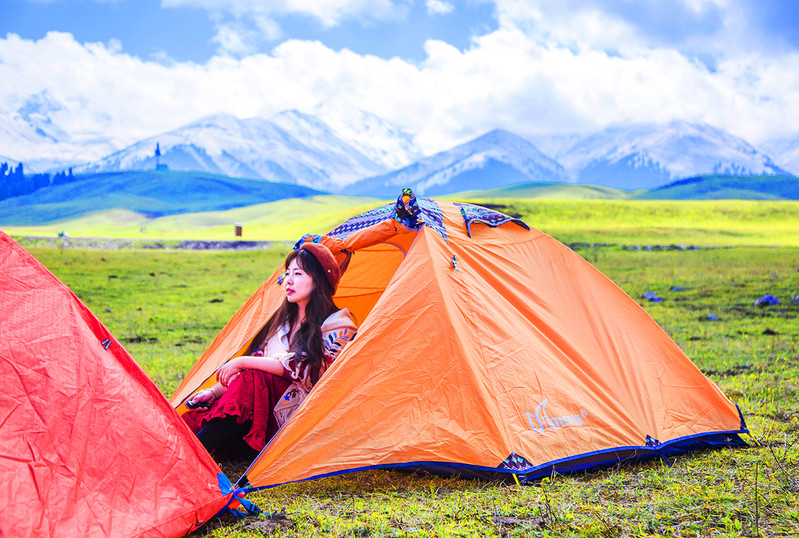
{"points": [[344, 150]]}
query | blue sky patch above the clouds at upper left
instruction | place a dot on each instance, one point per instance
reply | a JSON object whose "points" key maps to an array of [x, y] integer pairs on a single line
{"points": [[186, 31]]}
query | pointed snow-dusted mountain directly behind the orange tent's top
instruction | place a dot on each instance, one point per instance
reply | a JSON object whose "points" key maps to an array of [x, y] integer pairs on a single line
{"points": [[493, 160]]}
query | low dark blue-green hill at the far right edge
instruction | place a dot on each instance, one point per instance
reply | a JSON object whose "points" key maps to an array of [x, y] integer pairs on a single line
{"points": [[719, 187]]}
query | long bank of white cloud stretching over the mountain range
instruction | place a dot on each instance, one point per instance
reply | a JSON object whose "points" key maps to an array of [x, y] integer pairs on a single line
{"points": [[531, 76]]}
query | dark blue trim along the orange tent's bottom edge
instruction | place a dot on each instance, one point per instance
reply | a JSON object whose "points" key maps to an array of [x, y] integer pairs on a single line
{"points": [[589, 461]]}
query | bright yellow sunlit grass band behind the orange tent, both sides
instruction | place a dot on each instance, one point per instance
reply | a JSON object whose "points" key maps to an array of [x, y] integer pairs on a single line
{"points": [[706, 223]]}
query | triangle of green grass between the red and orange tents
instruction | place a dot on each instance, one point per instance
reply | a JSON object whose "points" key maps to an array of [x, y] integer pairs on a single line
{"points": [[165, 307]]}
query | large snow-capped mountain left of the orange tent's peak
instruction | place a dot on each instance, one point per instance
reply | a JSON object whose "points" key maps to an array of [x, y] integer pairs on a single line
{"points": [[290, 148]]}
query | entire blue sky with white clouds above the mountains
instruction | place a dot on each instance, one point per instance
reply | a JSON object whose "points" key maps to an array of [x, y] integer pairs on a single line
{"points": [[110, 72]]}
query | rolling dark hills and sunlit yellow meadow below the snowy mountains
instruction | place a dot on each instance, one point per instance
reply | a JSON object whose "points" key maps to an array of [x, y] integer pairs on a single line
{"points": [[572, 213]]}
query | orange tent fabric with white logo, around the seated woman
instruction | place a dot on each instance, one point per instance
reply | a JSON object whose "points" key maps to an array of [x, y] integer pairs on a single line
{"points": [[484, 346]]}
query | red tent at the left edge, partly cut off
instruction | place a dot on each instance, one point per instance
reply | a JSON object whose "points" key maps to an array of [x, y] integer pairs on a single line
{"points": [[90, 446]]}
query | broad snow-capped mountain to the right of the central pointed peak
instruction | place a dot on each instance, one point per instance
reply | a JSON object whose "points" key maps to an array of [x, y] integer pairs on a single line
{"points": [[646, 156]]}
